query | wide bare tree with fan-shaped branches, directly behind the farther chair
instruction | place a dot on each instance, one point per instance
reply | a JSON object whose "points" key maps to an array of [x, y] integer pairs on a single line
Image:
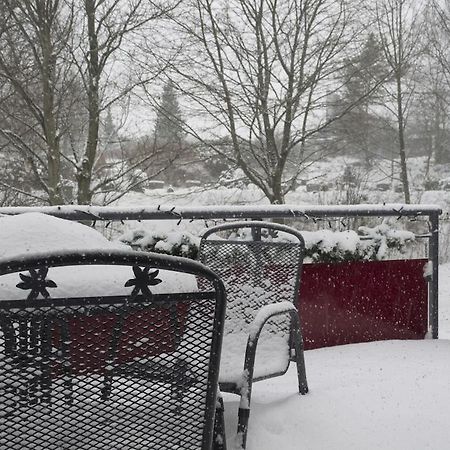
{"points": [[259, 72]]}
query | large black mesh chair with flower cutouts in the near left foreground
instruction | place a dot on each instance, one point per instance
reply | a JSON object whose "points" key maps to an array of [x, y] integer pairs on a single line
{"points": [[133, 371]]}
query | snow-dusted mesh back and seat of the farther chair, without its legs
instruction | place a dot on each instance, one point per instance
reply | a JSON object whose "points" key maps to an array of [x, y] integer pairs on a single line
{"points": [[260, 264]]}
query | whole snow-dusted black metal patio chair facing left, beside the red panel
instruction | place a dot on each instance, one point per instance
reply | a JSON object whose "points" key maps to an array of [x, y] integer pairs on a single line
{"points": [[260, 264]]}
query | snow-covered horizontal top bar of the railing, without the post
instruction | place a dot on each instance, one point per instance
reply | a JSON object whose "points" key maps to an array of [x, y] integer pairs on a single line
{"points": [[79, 212]]}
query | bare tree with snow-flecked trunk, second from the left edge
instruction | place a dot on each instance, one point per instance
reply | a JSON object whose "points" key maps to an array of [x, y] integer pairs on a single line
{"points": [[109, 30]]}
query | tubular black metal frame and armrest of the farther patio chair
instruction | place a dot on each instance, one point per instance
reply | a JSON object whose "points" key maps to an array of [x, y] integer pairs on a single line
{"points": [[244, 387]]}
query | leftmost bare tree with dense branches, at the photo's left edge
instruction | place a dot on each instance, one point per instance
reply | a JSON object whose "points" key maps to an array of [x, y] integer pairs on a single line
{"points": [[33, 39]]}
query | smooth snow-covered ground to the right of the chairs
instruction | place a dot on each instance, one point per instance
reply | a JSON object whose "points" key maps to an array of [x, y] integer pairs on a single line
{"points": [[392, 395]]}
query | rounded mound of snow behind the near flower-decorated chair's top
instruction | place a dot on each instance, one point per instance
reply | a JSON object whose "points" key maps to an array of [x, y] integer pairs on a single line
{"points": [[29, 233]]}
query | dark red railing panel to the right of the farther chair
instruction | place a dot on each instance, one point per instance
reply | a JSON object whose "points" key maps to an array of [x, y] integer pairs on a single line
{"points": [[363, 301]]}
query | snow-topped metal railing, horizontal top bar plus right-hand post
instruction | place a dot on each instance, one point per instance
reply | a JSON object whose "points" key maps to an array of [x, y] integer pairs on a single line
{"points": [[163, 212]]}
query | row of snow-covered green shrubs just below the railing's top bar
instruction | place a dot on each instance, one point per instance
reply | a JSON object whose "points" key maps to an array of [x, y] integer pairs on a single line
{"points": [[321, 246]]}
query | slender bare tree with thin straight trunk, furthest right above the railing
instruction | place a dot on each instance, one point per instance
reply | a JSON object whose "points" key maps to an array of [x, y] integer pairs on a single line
{"points": [[398, 30]]}
